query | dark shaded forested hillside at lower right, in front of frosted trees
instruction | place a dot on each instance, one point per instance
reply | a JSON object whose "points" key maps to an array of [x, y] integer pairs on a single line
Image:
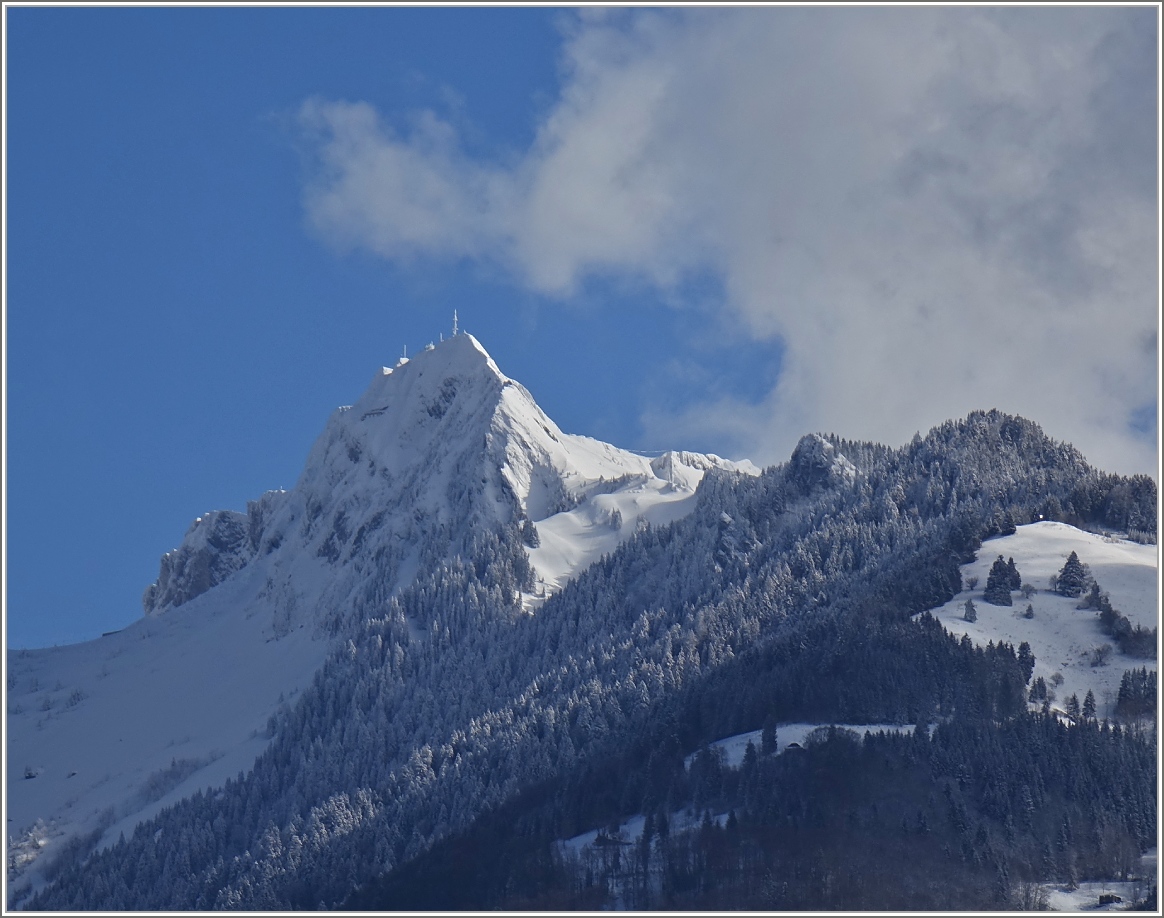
{"points": [[1003, 774]]}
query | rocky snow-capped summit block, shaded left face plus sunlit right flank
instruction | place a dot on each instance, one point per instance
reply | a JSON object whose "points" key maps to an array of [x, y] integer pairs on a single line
{"points": [[437, 451]]}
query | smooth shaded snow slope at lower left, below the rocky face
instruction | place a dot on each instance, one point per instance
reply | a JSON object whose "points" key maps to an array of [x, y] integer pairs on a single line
{"points": [[113, 730]]}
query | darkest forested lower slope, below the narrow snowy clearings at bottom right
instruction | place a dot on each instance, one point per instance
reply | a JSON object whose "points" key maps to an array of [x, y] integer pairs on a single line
{"points": [[975, 816]]}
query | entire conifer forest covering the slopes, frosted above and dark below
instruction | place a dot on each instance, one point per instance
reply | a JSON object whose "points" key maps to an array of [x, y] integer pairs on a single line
{"points": [[444, 773]]}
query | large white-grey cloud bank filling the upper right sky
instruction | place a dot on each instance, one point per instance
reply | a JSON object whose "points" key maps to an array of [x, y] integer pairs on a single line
{"points": [[935, 210]]}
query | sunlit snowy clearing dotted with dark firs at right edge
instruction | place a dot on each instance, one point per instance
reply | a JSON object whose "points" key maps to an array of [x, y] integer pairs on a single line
{"points": [[1063, 637]]}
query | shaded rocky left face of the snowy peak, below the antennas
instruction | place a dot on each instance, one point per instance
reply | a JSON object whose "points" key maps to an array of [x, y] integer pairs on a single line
{"points": [[410, 466]]}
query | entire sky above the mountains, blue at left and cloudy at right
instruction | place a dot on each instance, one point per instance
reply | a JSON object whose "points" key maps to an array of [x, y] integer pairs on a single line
{"points": [[711, 230]]}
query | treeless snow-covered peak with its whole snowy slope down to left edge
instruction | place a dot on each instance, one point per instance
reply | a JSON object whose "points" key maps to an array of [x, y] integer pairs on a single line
{"points": [[105, 734]]}
